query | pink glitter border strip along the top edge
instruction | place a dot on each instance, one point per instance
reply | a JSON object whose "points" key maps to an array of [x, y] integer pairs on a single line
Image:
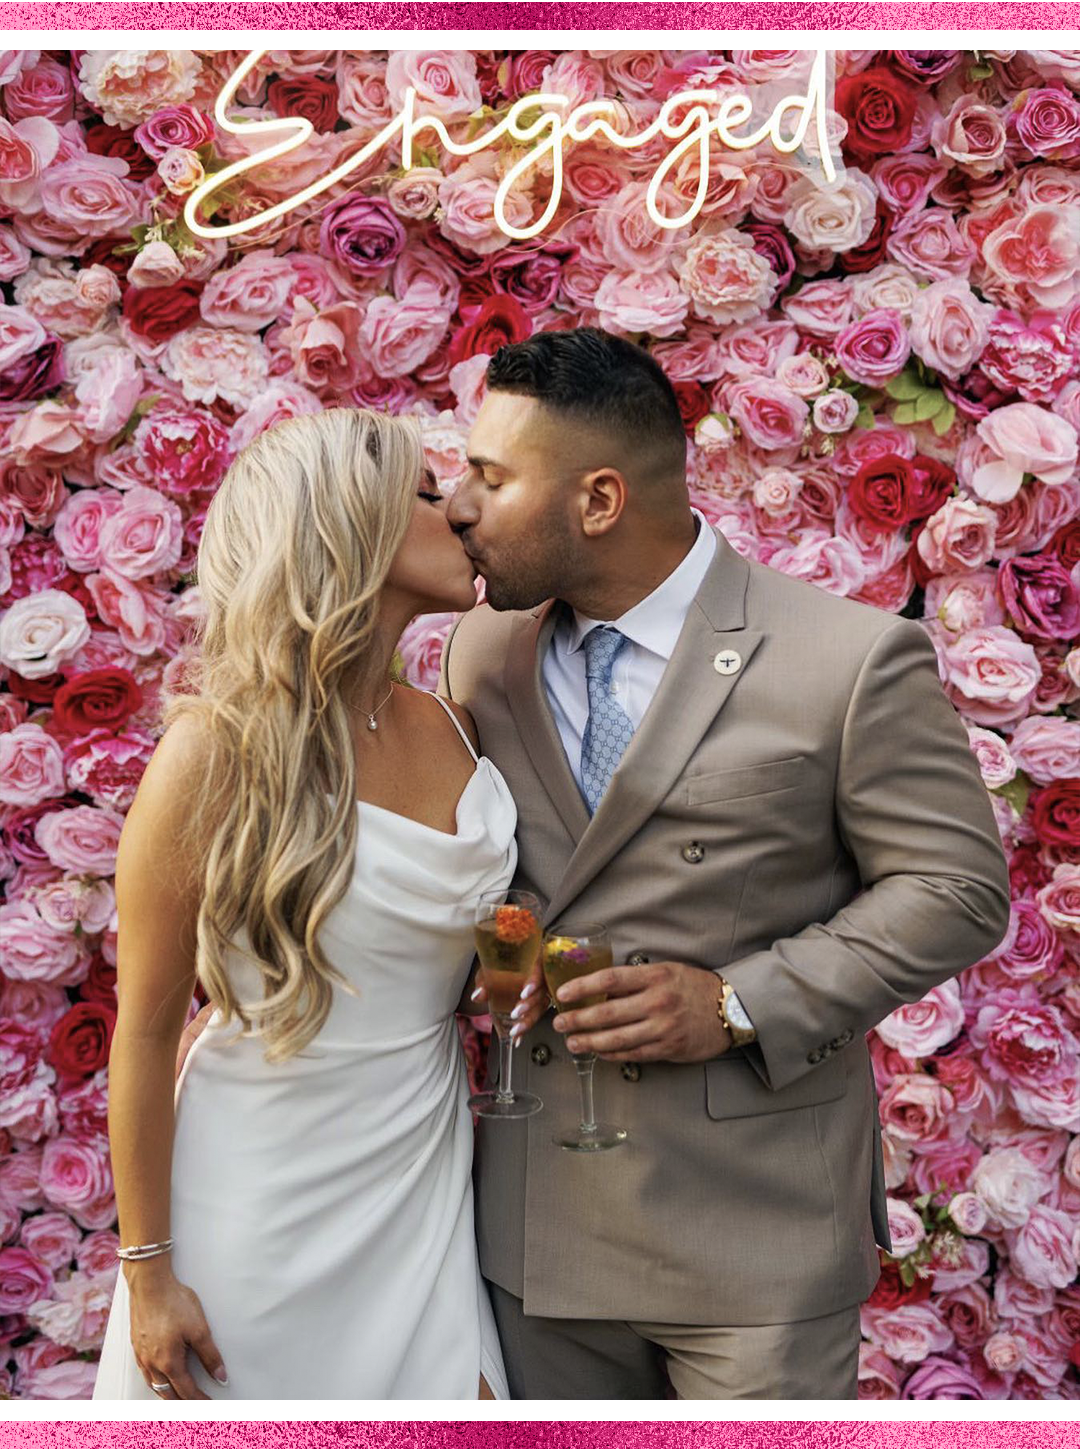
{"points": [[539, 15]]}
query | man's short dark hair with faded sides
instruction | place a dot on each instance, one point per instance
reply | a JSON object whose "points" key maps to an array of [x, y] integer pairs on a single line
{"points": [[598, 378]]}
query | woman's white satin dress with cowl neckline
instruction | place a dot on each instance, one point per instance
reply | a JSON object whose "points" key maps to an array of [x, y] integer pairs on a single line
{"points": [[323, 1209]]}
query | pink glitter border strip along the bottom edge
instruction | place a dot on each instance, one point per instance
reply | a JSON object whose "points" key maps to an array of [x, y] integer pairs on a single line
{"points": [[401, 1435]]}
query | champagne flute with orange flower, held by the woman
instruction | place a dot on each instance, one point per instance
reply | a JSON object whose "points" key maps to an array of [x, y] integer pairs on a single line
{"points": [[508, 935]]}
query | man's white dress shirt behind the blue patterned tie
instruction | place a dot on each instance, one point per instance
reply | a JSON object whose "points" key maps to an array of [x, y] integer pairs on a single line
{"points": [[652, 627]]}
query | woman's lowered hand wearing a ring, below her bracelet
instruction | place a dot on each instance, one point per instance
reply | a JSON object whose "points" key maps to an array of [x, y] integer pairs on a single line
{"points": [[167, 1319]]}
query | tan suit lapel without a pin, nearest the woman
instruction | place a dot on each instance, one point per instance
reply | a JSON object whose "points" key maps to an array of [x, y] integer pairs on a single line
{"points": [[533, 716]]}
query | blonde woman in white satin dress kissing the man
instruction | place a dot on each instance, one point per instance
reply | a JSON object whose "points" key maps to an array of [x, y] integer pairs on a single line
{"points": [[310, 840]]}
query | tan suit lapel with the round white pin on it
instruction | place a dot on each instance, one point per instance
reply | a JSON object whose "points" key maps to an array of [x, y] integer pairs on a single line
{"points": [[691, 694]]}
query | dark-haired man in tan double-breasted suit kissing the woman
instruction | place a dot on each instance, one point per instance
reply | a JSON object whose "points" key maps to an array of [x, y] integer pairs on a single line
{"points": [[762, 790]]}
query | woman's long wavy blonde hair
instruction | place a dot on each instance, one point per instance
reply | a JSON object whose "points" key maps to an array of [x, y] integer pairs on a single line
{"points": [[298, 544]]}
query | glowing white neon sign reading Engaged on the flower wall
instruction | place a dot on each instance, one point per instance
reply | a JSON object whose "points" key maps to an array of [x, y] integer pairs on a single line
{"points": [[549, 131]]}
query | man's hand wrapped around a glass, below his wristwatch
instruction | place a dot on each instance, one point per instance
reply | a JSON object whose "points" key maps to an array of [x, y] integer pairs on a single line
{"points": [[663, 1013]]}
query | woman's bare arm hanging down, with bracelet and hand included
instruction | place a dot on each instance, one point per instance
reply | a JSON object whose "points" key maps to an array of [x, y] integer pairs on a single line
{"points": [[157, 903]]}
